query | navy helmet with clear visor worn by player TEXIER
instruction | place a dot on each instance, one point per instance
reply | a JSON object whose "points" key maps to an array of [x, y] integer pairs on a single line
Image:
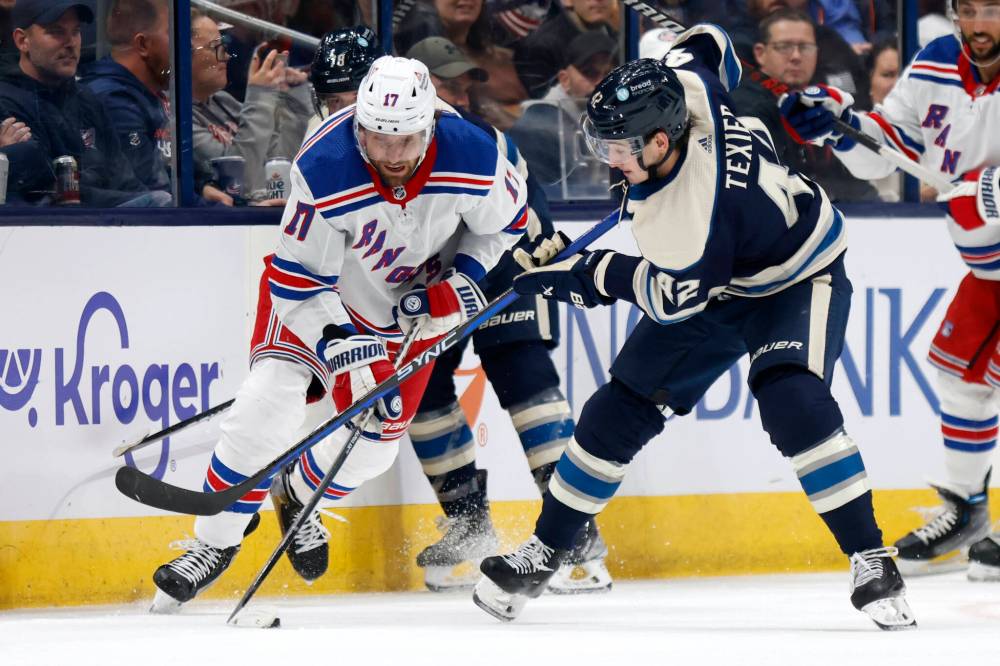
{"points": [[632, 103]]}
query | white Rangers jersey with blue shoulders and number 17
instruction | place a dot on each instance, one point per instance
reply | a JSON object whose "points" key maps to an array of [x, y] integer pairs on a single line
{"points": [[350, 247]]}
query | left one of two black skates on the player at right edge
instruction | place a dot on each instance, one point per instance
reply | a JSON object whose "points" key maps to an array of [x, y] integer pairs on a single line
{"points": [[942, 544]]}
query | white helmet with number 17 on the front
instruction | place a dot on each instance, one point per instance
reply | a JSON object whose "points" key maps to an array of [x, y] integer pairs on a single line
{"points": [[396, 97]]}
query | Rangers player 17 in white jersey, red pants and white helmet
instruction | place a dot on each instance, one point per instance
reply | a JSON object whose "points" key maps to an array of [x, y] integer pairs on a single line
{"points": [[396, 212]]}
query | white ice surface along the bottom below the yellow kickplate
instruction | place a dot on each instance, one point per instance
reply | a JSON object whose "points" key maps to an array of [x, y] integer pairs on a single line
{"points": [[801, 620]]}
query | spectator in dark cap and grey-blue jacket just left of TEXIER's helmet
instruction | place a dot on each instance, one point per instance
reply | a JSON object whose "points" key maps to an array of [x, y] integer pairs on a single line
{"points": [[547, 132]]}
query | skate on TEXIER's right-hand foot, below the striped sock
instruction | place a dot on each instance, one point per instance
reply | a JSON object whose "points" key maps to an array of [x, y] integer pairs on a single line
{"points": [[877, 589]]}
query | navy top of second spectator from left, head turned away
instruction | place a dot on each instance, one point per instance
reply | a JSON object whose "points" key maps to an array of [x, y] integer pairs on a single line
{"points": [[139, 118]]}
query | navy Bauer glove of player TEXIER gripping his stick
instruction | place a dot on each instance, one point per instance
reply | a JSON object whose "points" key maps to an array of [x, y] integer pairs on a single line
{"points": [[570, 281]]}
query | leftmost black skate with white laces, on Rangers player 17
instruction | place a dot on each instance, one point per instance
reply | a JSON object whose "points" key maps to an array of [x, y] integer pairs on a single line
{"points": [[181, 579]]}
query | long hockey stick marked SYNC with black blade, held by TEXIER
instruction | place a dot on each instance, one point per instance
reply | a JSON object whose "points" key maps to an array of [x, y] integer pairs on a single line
{"points": [[156, 493]]}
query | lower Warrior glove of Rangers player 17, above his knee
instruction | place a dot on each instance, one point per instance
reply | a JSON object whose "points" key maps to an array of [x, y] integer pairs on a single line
{"points": [[358, 364]]}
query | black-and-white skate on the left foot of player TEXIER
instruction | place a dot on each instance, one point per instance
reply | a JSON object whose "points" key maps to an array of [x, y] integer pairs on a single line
{"points": [[510, 580]]}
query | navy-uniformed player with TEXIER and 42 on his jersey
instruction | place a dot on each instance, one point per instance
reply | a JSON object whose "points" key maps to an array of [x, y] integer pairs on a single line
{"points": [[738, 255]]}
